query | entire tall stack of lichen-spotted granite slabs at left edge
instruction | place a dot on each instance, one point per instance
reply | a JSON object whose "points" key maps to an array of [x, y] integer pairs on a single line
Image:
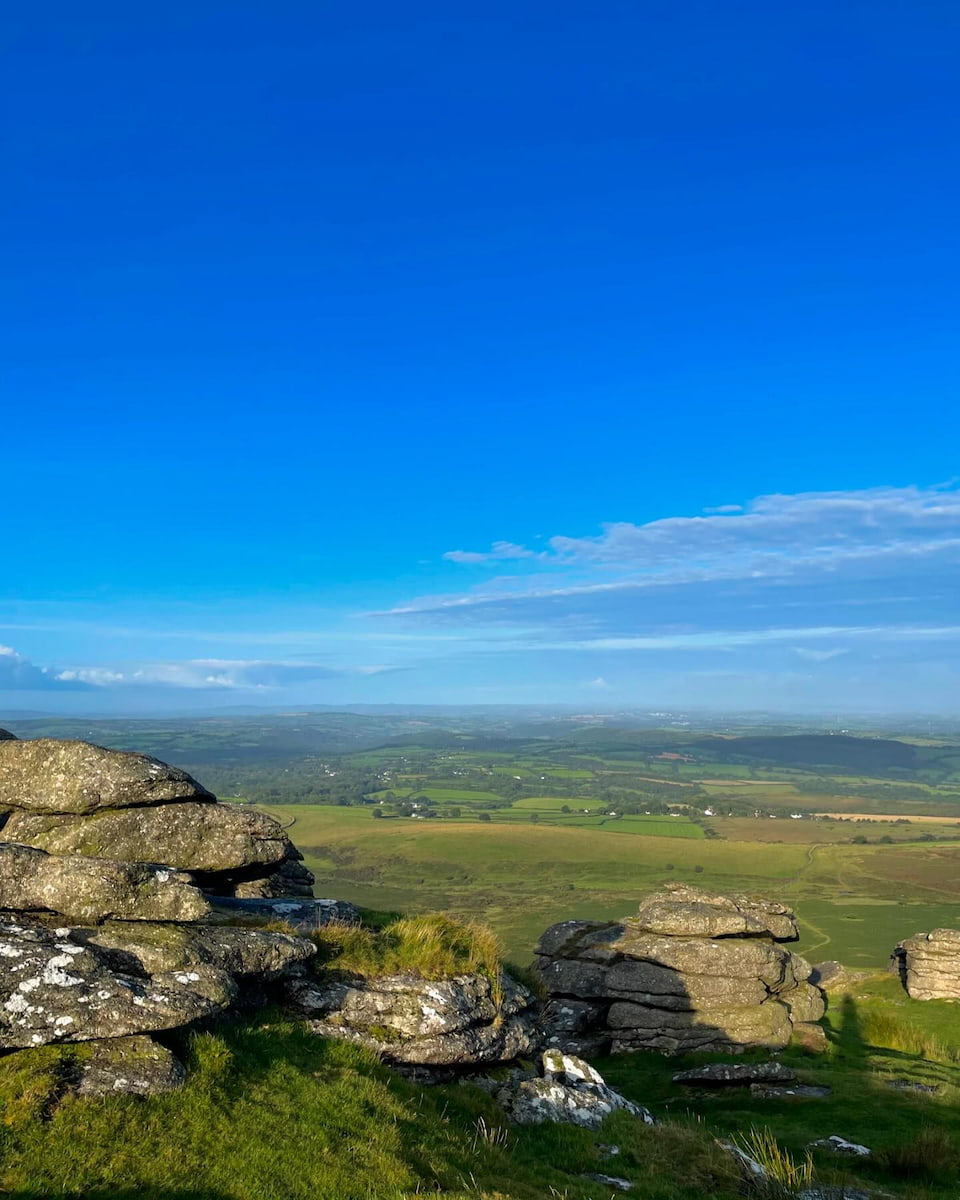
{"points": [[109, 928]]}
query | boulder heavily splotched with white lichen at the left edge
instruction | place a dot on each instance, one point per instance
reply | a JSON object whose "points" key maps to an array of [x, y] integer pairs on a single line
{"points": [[55, 989]]}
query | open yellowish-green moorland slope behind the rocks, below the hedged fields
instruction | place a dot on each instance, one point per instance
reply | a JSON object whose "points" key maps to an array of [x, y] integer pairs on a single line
{"points": [[855, 903]]}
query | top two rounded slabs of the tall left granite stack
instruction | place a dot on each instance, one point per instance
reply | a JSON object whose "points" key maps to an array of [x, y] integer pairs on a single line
{"points": [[74, 799]]}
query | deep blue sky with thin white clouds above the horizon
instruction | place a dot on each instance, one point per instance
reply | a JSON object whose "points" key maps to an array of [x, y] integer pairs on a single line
{"points": [[489, 353]]}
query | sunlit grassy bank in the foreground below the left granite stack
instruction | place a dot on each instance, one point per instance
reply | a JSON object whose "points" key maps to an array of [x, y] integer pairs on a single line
{"points": [[273, 1113]]}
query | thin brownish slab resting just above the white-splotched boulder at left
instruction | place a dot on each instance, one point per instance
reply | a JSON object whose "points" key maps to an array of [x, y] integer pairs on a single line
{"points": [[145, 949]]}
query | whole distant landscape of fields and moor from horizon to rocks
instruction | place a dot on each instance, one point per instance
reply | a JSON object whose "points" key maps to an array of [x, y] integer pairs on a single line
{"points": [[525, 820]]}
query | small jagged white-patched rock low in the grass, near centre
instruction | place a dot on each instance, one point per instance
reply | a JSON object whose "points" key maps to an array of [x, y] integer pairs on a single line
{"points": [[568, 1090]]}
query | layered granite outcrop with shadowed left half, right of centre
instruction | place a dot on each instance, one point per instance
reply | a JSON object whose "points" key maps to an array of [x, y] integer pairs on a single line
{"points": [[692, 971]]}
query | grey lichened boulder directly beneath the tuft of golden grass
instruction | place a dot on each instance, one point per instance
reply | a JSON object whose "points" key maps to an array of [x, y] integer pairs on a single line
{"points": [[451, 1023]]}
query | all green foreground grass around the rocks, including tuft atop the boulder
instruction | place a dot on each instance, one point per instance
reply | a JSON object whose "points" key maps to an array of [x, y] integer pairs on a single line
{"points": [[274, 1113]]}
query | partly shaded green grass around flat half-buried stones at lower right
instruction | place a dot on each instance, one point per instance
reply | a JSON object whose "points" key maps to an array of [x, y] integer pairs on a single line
{"points": [[877, 1035]]}
